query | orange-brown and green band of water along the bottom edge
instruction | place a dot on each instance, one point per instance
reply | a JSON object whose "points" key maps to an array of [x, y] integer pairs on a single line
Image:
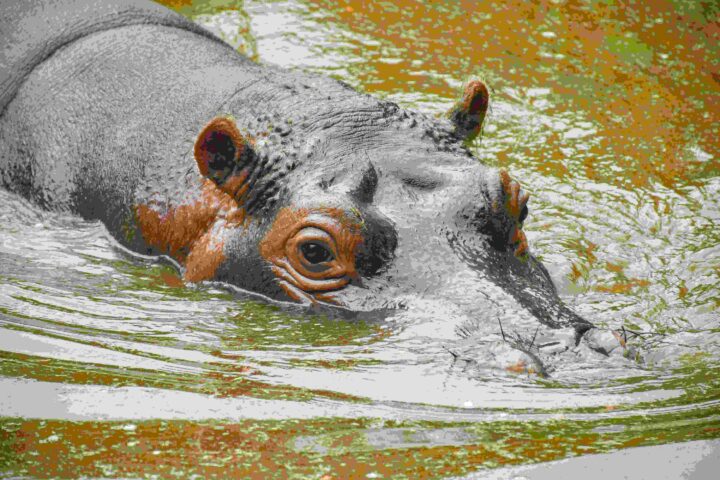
{"points": [[323, 446]]}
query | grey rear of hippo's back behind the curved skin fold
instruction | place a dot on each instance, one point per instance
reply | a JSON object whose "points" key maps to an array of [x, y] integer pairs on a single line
{"points": [[32, 30]]}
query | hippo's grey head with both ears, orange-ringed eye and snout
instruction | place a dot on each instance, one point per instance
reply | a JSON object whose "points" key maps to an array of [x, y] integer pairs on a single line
{"points": [[365, 206]]}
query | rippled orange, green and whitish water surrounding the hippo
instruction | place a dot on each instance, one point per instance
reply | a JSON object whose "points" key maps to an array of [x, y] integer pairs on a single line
{"points": [[110, 366]]}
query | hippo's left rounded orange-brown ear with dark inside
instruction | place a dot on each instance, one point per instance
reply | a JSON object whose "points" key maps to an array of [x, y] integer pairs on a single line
{"points": [[220, 149]]}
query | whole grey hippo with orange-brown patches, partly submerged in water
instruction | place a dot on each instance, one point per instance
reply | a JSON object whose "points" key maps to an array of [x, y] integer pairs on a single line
{"points": [[290, 185]]}
